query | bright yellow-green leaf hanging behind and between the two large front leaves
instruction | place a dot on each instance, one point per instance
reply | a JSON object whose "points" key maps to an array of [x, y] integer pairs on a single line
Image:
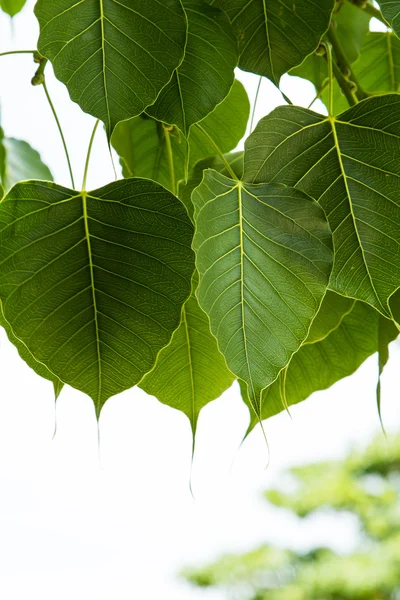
{"points": [[190, 372]]}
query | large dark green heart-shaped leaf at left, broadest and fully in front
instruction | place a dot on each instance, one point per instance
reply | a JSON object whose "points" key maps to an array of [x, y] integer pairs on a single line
{"points": [[93, 283]]}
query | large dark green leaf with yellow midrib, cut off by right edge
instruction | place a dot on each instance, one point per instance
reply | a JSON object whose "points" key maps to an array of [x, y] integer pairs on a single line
{"points": [[350, 164]]}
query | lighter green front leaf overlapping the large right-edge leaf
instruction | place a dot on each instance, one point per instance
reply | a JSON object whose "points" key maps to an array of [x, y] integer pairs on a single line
{"points": [[264, 257]]}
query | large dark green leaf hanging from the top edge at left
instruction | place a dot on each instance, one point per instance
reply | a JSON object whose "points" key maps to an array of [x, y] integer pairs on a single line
{"points": [[114, 57]]}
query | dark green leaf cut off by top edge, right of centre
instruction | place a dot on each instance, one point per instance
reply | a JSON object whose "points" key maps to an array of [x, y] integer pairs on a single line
{"points": [[276, 35]]}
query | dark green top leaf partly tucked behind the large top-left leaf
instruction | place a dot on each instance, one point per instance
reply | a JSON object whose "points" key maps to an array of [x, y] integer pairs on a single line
{"points": [[206, 74]]}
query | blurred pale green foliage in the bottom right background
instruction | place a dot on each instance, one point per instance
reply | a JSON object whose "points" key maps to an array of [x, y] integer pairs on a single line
{"points": [[365, 484]]}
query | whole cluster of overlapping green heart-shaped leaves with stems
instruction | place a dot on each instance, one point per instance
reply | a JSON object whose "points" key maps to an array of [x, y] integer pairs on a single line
{"points": [[277, 265]]}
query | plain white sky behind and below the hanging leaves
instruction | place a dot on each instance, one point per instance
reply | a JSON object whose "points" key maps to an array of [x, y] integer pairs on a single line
{"points": [[74, 524]]}
